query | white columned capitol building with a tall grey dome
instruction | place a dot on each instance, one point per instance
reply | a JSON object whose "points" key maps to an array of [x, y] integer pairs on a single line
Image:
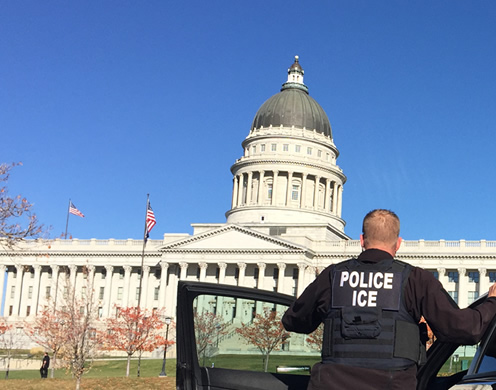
{"points": [[285, 225]]}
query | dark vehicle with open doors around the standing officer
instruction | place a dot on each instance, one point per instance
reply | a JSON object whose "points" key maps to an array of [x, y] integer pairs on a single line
{"points": [[213, 354]]}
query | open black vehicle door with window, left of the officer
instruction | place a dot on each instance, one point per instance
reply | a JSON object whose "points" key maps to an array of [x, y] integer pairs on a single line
{"points": [[211, 353]]}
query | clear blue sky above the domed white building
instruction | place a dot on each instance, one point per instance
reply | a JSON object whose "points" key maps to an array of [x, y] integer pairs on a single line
{"points": [[106, 101]]}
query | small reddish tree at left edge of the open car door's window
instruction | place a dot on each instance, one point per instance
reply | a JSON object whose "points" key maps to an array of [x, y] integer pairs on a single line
{"points": [[208, 327]]}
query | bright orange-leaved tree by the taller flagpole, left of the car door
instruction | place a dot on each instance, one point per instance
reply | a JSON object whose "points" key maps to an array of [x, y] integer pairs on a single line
{"points": [[134, 330]]}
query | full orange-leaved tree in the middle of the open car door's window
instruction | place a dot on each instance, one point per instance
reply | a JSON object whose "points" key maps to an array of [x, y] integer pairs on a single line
{"points": [[266, 332]]}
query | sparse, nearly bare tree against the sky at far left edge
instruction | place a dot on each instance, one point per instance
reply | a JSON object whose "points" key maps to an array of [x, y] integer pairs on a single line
{"points": [[17, 221]]}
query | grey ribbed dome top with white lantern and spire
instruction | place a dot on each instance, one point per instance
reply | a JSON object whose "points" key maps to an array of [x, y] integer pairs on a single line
{"points": [[293, 106]]}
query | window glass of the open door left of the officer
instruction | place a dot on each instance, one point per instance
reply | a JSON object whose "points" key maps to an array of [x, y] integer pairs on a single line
{"points": [[245, 334]]}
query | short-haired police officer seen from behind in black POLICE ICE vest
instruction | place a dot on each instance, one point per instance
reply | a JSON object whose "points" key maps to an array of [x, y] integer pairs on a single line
{"points": [[371, 307]]}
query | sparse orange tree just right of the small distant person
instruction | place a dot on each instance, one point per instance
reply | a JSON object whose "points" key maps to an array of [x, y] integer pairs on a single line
{"points": [[49, 331]]}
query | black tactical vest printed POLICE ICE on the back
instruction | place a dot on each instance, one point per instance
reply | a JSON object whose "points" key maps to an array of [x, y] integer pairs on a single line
{"points": [[367, 324]]}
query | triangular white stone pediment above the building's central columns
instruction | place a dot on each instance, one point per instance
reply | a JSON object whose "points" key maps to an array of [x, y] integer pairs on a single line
{"points": [[231, 238]]}
